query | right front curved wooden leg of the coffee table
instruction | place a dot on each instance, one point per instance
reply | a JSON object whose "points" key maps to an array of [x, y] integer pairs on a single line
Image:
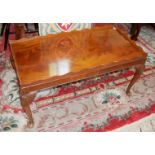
{"points": [[139, 70]]}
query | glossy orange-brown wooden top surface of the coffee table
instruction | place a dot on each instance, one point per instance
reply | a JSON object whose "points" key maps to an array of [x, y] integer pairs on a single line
{"points": [[43, 58]]}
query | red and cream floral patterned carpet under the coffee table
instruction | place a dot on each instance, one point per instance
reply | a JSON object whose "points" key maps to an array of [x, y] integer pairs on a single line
{"points": [[97, 104]]}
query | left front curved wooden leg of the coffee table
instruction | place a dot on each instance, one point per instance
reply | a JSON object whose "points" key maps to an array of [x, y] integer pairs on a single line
{"points": [[25, 102]]}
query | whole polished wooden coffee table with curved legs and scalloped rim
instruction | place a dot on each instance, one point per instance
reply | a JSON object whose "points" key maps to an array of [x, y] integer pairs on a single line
{"points": [[46, 61]]}
